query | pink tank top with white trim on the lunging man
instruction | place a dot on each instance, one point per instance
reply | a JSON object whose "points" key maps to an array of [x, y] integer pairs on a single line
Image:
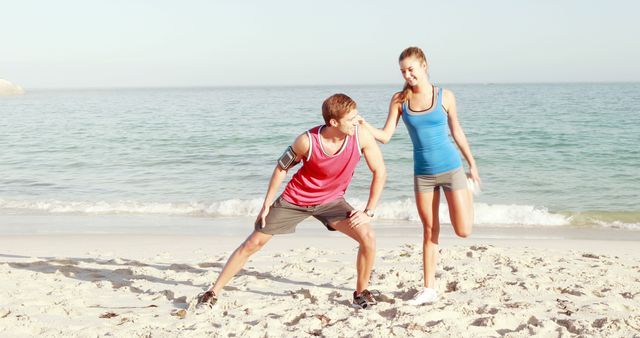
{"points": [[323, 178]]}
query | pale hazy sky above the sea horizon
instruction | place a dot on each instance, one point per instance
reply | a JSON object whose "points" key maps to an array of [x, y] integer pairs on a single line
{"points": [[138, 43]]}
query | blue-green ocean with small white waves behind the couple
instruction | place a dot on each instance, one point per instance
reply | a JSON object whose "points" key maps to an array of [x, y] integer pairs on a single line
{"points": [[553, 155]]}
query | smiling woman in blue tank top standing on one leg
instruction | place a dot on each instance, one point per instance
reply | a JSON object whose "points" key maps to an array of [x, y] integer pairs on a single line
{"points": [[427, 112]]}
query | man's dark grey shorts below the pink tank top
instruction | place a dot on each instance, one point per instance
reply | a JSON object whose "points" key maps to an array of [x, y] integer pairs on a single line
{"points": [[283, 216]]}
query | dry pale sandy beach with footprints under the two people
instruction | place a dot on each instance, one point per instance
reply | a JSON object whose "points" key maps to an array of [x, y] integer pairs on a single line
{"points": [[300, 285]]}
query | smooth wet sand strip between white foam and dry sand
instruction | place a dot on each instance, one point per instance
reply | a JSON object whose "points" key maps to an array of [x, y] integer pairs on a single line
{"points": [[75, 224]]}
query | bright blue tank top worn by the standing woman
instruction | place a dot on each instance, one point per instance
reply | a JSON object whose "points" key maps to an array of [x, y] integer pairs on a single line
{"points": [[433, 151]]}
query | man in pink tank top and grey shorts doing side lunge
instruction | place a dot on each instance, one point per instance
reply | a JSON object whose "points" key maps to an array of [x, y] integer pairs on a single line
{"points": [[329, 154]]}
